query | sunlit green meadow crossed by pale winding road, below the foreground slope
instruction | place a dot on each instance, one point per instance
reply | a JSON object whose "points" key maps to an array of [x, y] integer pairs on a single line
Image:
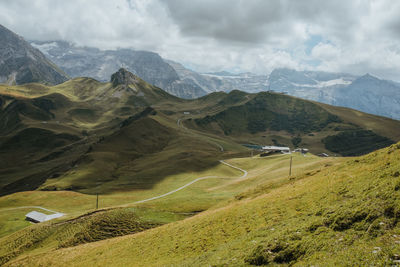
{"points": [[188, 202]]}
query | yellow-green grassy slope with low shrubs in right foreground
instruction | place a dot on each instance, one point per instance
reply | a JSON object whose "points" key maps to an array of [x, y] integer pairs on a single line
{"points": [[340, 215]]}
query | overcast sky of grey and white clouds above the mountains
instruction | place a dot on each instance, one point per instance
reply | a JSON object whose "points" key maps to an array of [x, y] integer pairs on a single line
{"points": [[235, 35]]}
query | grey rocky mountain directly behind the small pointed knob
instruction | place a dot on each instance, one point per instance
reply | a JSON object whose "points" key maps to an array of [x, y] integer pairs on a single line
{"points": [[100, 64]]}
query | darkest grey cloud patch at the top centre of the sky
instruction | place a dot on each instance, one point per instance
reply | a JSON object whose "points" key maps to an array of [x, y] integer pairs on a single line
{"points": [[240, 21]]}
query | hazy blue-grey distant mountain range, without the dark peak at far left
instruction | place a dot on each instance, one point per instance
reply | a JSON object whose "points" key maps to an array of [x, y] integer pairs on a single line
{"points": [[365, 93]]}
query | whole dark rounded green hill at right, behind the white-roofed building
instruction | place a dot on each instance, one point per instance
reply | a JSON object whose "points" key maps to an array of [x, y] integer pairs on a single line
{"points": [[276, 119]]}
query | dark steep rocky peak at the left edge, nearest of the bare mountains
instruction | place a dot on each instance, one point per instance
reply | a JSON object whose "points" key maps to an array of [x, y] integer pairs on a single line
{"points": [[21, 63]]}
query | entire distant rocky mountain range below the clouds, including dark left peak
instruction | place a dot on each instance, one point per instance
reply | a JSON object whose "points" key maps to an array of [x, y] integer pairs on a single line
{"points": [[23, 62]]}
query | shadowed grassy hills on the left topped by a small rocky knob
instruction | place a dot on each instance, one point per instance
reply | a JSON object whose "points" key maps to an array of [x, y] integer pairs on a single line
{"points": [[96, 137]]}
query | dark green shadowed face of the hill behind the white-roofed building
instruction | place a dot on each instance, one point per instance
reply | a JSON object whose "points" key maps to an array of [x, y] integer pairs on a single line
{"points": [[271, 111]]}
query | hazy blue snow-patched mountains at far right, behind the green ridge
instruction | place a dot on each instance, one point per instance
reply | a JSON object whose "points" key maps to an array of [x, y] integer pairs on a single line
{"points": [[365, 93]]}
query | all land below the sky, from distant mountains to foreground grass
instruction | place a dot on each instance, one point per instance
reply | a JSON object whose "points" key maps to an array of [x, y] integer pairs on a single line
{"points": [[123, 158]]}
